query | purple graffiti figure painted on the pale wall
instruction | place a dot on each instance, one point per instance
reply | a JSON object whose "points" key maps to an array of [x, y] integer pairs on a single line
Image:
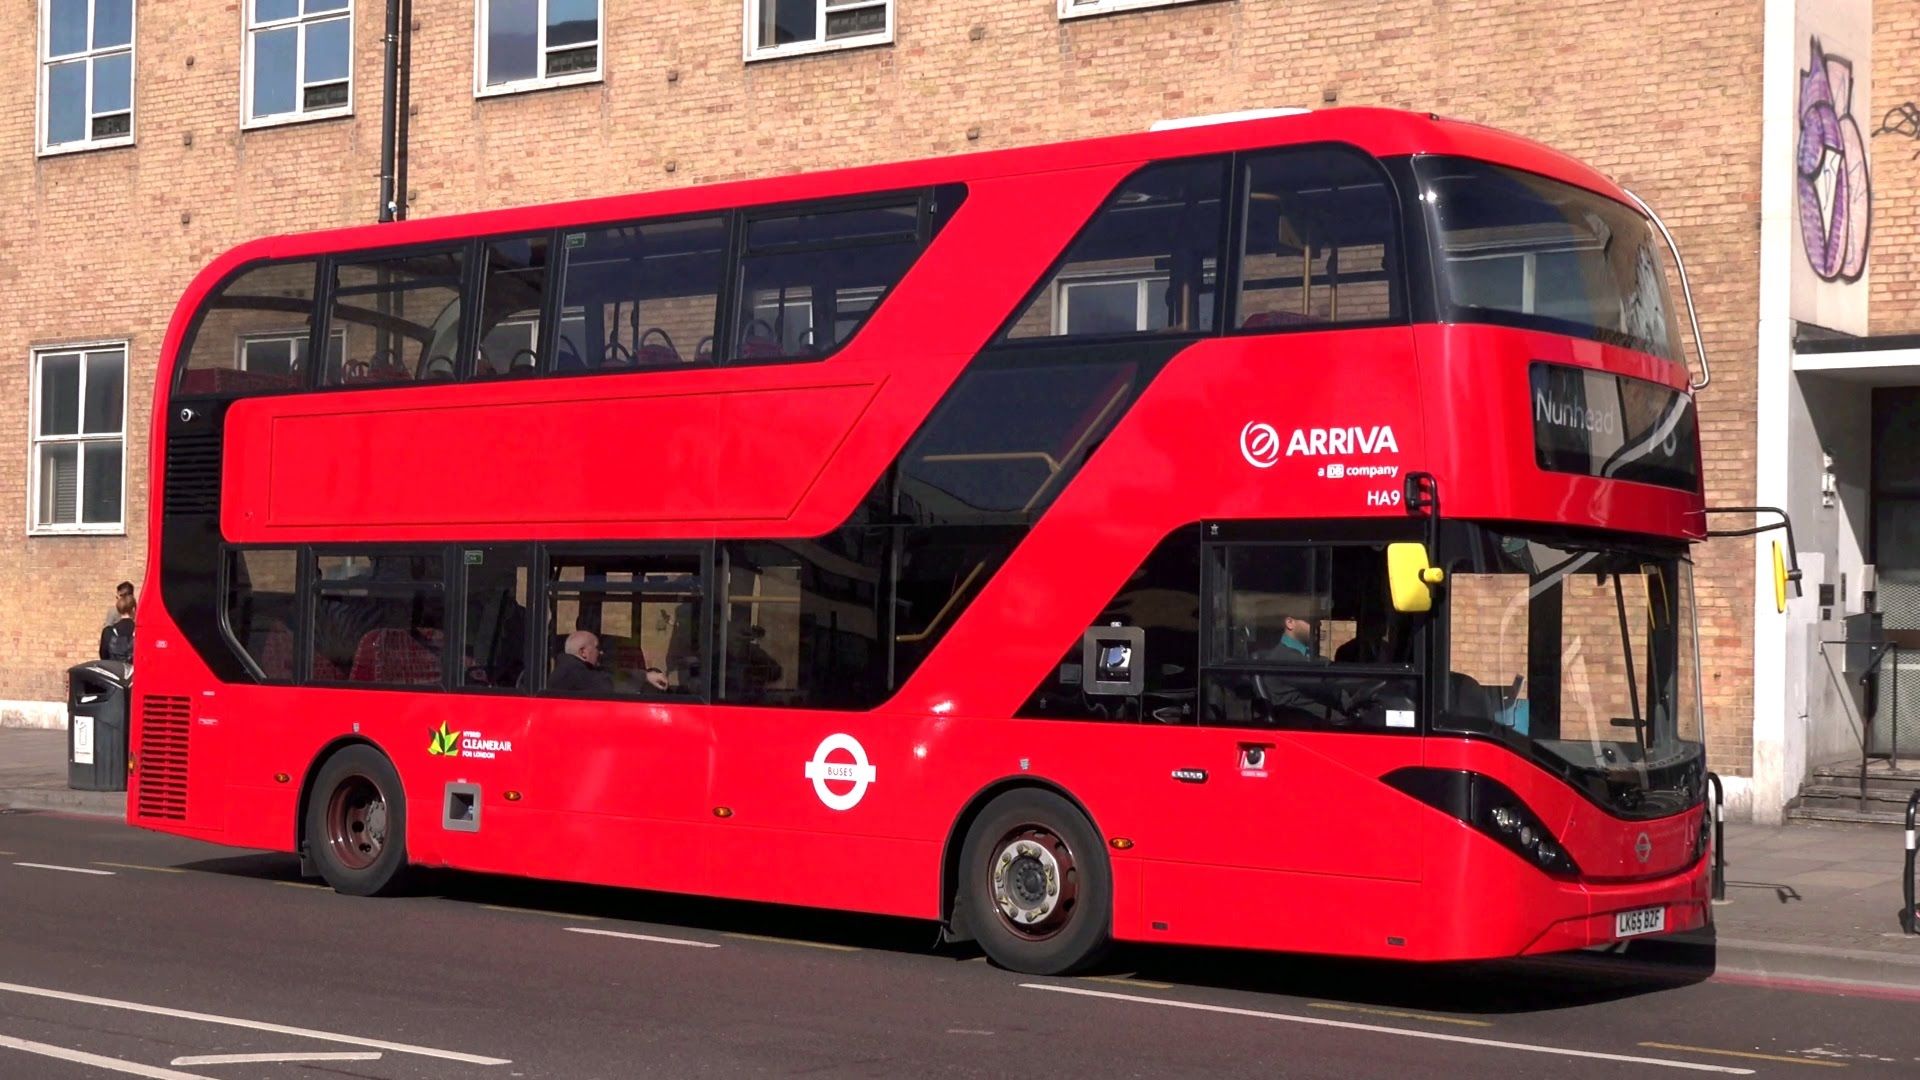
{"points": [[1836, 205]]}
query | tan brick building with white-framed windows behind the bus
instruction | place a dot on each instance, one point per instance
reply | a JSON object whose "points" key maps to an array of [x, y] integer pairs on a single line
{"points": [[143, 139]]}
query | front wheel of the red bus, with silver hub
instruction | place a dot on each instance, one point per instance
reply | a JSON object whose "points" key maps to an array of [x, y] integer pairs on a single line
{"points": [[1036, 887]]}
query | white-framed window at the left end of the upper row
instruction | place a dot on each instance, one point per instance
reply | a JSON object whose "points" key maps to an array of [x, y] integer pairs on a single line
{"points": [[85, 74]]}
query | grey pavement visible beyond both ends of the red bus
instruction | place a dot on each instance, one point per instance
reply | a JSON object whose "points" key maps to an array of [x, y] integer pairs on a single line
{"points": [[1804, 902]]}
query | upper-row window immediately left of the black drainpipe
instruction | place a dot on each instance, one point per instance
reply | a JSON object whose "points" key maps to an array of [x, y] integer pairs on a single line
{"points": [[299, 61]]}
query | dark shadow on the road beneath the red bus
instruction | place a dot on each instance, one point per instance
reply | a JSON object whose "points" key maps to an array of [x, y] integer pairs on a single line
{"points": [[1566, 981]]}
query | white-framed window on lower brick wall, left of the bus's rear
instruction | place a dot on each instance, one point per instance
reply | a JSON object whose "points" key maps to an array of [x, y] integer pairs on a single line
{"points": [[80, 408]]}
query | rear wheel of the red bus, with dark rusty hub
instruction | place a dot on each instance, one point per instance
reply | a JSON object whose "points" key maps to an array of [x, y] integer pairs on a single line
{"points": [[358, 823]]}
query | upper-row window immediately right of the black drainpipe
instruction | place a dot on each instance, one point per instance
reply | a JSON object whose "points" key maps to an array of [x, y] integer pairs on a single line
{"points": [[527, 45]]}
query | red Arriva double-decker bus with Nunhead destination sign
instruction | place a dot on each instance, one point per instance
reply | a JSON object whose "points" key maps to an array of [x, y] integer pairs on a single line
{"points": [[1264, 535]]}
